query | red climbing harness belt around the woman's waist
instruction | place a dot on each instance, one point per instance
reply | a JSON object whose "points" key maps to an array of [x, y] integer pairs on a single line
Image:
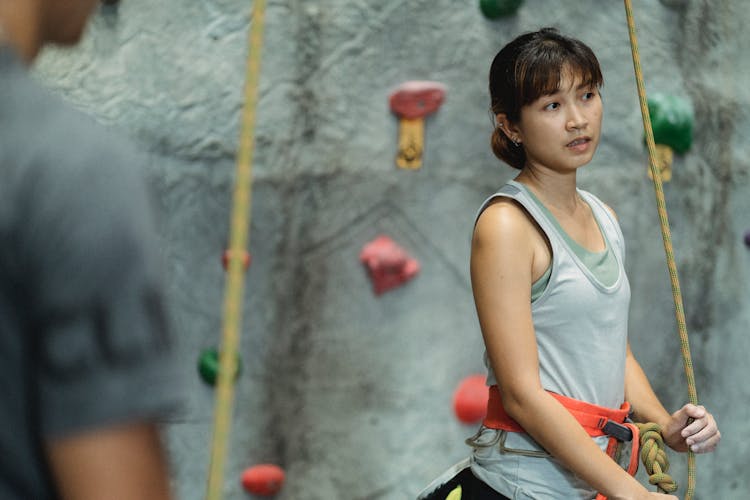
{"points": [[595, 420]]}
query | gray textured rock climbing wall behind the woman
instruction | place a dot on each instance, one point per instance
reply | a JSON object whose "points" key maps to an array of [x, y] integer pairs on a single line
{"points": [[349, 392]]}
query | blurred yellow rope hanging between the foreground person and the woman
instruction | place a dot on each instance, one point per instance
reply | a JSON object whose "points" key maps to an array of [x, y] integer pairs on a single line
{"points": [[239, 228]]}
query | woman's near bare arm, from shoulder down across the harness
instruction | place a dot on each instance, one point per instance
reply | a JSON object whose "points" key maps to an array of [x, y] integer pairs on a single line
{"points": [[503, 252]]}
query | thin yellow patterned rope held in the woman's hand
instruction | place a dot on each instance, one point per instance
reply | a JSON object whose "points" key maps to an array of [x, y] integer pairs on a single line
{"points": [[666, 235]]}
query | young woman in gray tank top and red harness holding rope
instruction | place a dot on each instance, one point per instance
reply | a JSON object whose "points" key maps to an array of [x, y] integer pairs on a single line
{"points": [[552, 297]]}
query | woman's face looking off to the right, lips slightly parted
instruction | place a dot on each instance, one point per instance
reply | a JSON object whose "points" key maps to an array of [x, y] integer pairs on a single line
{"points": [[561, 131]]}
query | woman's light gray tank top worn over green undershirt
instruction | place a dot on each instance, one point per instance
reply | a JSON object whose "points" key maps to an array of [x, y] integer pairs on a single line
{"points": [[581, 328]]}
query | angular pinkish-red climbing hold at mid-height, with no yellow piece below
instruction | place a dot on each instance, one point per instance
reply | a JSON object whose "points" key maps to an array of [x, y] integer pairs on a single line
{"points": [[388, 264]]}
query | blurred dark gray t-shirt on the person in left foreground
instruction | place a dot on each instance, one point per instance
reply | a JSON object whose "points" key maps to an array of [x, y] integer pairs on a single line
{"points": [[84, 341]]}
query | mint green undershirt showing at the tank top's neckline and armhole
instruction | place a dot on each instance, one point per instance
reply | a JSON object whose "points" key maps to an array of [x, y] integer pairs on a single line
{"points": [[602, 265]]}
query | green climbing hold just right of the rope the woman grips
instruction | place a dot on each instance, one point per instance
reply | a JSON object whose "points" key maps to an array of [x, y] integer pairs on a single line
{"points": [[672, 121]]}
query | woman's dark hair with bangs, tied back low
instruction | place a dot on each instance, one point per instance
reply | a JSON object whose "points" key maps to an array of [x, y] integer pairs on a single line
{"points": [[528, 68]]}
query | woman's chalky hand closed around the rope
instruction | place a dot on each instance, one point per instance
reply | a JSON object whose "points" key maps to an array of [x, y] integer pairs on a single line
{"points": [[700, 436]]}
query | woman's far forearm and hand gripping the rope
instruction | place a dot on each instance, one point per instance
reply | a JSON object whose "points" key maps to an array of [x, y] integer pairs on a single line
{"points": [[702, 435]]}
